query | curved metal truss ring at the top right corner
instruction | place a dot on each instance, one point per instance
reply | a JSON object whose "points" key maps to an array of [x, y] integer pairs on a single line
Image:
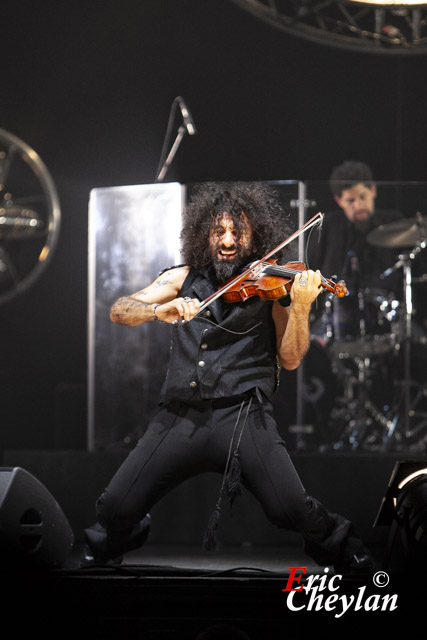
{"points": [[388, 28]]}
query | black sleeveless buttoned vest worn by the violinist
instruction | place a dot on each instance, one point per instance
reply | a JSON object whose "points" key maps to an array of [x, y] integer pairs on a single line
{"points": [[226, 351]]}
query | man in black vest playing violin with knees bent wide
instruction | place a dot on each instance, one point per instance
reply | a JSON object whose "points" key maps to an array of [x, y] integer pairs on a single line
{"points": [[215, 409]]}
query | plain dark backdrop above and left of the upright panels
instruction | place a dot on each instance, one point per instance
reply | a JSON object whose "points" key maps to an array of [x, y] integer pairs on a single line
{"points": [[89, 86]]}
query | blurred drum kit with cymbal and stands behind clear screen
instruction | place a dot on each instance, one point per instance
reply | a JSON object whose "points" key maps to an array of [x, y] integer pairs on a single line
{"points": [[376, 351]]}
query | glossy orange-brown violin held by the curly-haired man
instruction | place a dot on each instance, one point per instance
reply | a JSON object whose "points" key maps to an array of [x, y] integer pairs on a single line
{"points": [[271, 281]]}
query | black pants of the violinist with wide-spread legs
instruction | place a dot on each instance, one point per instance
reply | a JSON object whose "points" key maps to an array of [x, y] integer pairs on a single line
{"points": [[182, 441]]}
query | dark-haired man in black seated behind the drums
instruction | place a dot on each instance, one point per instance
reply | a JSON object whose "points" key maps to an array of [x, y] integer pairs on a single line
{"points": [[343, 249]]}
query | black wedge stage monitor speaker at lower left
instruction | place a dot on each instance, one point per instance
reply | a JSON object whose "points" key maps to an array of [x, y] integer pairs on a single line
{"points": [[33, 527]]}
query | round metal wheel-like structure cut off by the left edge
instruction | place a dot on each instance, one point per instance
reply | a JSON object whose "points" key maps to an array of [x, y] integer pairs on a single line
{"points": [[30, 216]]}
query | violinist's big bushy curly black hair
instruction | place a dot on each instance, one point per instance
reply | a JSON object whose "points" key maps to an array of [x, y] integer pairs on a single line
{"points": [[269, 219]]}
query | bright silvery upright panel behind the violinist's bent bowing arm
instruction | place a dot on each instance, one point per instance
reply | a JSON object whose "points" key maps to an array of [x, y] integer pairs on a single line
{"points": [[133, 235]]}
